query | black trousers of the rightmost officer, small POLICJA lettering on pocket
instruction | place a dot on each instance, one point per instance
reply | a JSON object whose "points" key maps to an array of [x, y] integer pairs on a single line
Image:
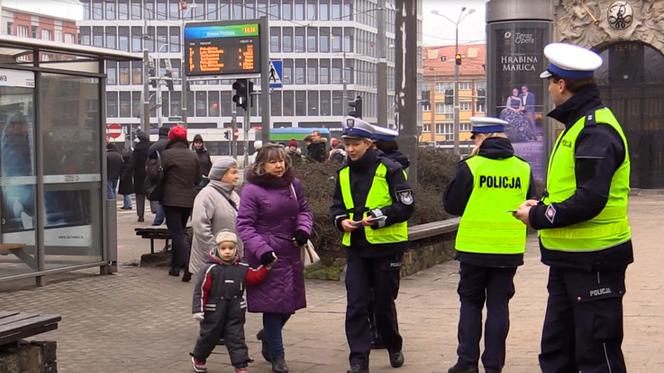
{"points": [[583, 327]]}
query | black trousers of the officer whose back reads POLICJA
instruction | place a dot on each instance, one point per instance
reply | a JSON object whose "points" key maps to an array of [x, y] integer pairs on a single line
{"points": [[478, 284]]}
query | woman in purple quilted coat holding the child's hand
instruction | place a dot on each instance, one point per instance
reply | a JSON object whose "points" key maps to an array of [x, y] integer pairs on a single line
{"points": [[273, 221]]}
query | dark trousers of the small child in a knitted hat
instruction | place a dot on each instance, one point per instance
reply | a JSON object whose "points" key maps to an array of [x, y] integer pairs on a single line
{"points": [[227, 322]]}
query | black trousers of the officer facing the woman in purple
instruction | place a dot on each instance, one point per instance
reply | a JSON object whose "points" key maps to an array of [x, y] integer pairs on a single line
{"points": [[362, 275]]}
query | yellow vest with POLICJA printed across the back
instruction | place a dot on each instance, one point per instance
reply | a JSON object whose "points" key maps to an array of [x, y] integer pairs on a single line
{"points": [[487, 226]]}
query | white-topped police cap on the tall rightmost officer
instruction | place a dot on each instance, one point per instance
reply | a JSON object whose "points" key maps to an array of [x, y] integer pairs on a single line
{"points": [[570, 61]]}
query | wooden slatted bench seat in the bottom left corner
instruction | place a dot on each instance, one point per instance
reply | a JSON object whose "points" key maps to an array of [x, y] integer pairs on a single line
{"points": [[15, 326]]}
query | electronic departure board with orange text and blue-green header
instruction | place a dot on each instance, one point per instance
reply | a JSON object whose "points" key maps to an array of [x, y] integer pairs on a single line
{"points": [[222, 49]]}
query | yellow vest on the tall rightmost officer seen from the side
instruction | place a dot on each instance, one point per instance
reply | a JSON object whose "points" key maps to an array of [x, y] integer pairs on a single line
{"points": [[611, 226]]}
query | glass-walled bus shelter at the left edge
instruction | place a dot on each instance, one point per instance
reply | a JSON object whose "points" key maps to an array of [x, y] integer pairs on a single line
{"points": [[55, 216]]}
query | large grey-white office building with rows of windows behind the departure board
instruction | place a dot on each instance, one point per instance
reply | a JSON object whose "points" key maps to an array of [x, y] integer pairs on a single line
{"points": [[328, 49]]}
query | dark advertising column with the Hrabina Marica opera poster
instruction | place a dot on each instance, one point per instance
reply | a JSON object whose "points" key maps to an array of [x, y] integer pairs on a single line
{"points": [[517, 31]]}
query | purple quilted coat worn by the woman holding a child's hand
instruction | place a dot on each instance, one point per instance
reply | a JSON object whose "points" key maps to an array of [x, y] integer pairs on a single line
{"points": [[268, 216]]}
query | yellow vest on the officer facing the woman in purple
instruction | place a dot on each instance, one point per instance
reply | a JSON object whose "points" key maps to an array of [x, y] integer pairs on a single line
{"points": [[378, 197]]}
